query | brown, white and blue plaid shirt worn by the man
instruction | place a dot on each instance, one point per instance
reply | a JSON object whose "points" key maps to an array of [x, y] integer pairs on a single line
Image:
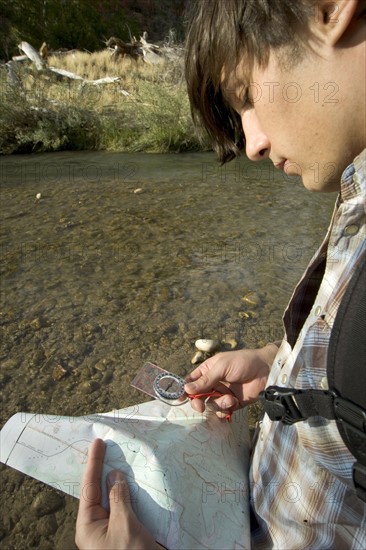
{"points": [[301, 475]]}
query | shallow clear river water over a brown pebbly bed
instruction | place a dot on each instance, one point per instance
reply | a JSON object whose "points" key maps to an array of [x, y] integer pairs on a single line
{"points": [[97, 278]]}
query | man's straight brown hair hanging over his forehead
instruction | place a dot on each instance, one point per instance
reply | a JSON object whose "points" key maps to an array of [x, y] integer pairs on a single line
{"points": [[221, 33]]}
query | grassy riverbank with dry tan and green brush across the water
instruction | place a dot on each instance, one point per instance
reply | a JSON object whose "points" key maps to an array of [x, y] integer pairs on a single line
{"points": [[146, 110]]}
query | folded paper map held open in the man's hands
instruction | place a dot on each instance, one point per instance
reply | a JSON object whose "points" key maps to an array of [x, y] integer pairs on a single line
{"points": [[188, 472]]}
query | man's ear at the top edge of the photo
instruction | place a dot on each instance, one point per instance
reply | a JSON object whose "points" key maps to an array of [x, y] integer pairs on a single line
{"points": [[333, 19]]}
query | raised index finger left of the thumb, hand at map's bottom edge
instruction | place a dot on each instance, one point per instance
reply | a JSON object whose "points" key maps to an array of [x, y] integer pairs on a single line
{"points": [[91, 492]]}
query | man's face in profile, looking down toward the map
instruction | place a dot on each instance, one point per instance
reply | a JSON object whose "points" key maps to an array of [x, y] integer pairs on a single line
{"points": [[302, 117]]}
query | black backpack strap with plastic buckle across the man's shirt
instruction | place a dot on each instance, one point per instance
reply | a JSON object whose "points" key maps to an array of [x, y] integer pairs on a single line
{"points": [[345, 401]]}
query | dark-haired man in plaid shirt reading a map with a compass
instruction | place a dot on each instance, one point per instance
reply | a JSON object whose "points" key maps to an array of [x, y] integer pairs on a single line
{"points": [[287, 79]]}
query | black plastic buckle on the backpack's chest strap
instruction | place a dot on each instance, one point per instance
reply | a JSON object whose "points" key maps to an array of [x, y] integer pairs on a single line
{"points": [[280, 405]]}
